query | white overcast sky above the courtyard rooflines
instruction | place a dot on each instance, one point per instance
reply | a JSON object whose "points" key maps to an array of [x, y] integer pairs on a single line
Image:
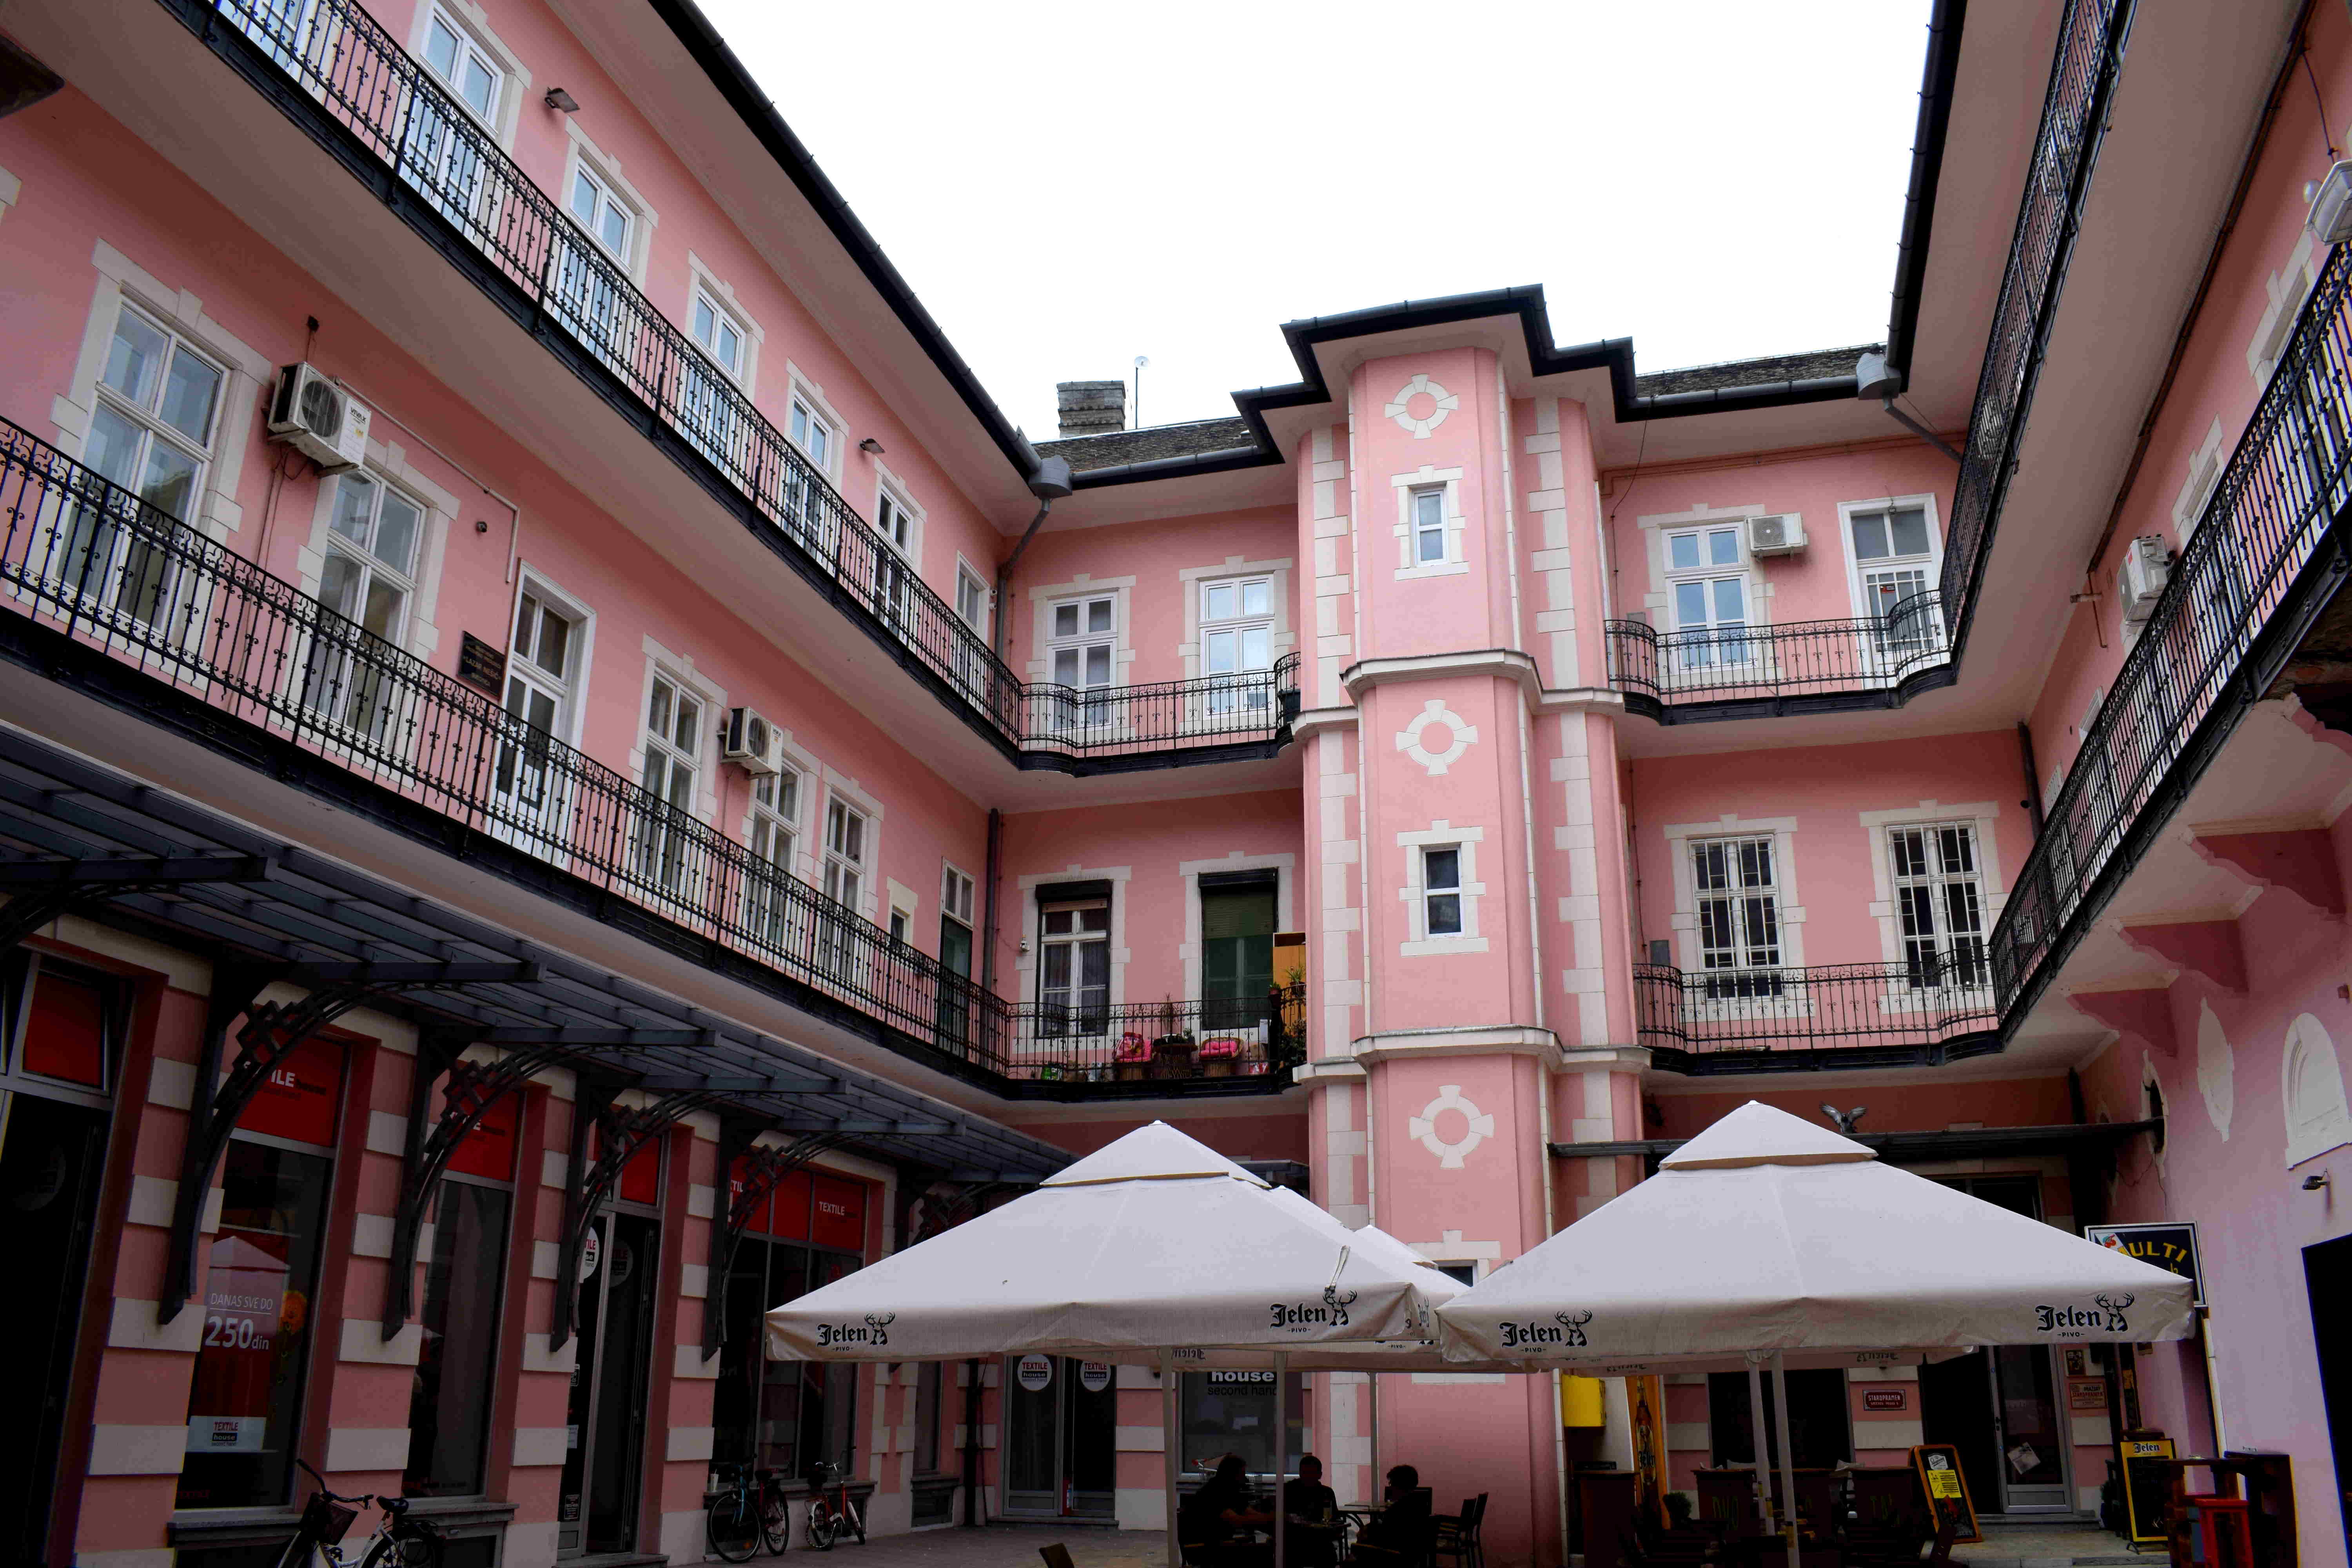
{"points": [[1074, 185]]}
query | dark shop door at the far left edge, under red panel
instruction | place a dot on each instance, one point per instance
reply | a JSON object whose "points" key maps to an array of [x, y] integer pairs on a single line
{"points": [[51, 1162]]}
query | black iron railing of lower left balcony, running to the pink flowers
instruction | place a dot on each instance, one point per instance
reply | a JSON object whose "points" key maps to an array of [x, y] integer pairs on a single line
{"points": [[88, 558]]}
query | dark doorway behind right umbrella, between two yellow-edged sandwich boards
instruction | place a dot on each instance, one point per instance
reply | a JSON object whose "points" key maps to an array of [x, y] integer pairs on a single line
{"points": [[2000, 1405]]}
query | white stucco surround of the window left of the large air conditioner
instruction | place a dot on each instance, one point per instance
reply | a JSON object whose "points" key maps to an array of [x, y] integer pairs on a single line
{"points": [[243, 377]]}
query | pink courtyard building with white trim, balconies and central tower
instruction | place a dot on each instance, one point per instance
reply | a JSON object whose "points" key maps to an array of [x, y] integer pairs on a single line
{"points": [[568, 777]]}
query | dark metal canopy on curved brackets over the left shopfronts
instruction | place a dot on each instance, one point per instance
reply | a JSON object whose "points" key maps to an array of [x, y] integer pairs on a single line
{"points": [[88, 840]]}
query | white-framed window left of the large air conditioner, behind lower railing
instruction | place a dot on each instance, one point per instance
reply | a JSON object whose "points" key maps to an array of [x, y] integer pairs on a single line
{"points": [[156, 410]]}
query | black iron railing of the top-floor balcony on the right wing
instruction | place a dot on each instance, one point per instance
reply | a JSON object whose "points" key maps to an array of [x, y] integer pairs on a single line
{"points": [[2066, 147]]}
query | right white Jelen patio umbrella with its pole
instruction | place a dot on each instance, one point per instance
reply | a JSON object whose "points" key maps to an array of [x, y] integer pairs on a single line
{"points": [[1770, 1235]]}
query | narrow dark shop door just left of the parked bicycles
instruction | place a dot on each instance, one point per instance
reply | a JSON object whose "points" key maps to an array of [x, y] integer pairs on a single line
{"points": [[610, 1388]]}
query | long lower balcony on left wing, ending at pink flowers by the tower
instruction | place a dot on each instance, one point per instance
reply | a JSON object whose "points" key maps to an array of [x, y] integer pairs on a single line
{"points": [[121, 598]]}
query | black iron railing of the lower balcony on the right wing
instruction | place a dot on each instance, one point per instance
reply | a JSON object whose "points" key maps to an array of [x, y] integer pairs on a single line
{"points": [[2259, 565]]}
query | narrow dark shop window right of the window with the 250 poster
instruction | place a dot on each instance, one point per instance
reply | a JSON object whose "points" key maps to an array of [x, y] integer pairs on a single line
{"points": [[455, 1369]]}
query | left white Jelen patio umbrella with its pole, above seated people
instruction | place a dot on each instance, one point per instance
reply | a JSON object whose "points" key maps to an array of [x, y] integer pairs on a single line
{"points": [[1142, 1247]]}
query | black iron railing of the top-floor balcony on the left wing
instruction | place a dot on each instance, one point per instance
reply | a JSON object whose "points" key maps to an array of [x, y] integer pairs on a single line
{"points": [[387, 109]]}
